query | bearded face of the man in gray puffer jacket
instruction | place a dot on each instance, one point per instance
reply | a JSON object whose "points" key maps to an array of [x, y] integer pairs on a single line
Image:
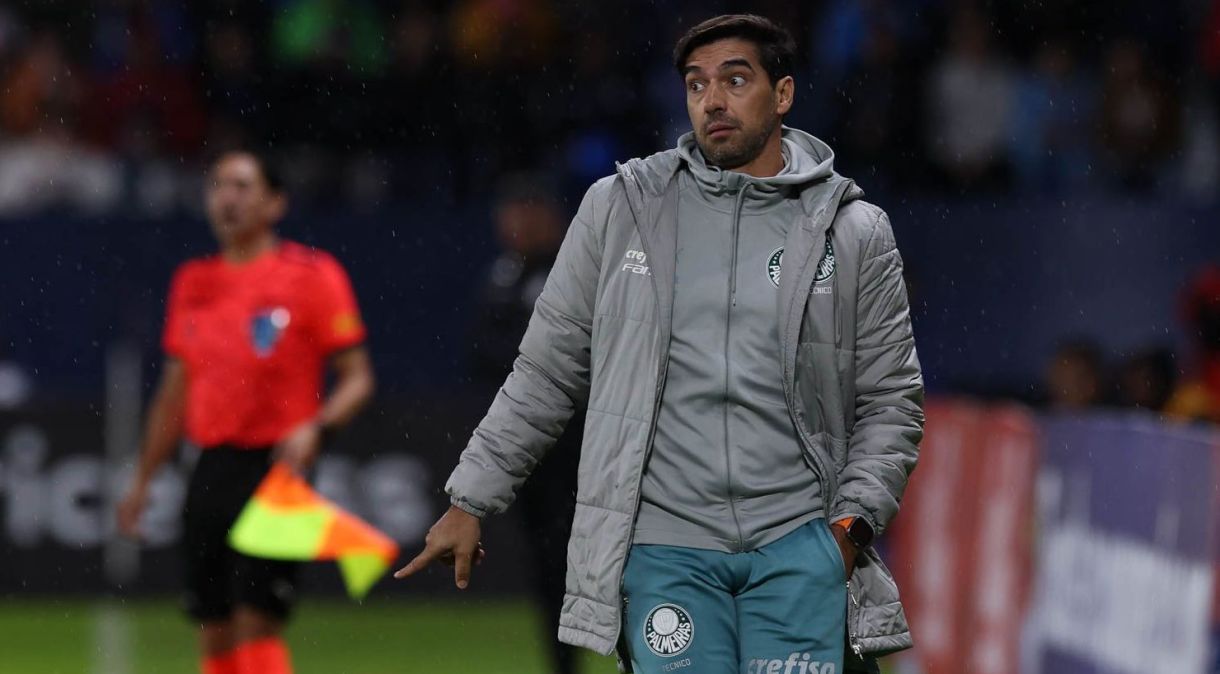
{"points": [[733, 104]]}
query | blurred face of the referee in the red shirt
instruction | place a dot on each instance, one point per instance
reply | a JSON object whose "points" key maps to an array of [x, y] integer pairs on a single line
{"points": [[240, 201]]}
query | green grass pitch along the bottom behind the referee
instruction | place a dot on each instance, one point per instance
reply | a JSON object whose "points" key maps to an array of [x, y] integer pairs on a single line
{"points": [[328, 637]]}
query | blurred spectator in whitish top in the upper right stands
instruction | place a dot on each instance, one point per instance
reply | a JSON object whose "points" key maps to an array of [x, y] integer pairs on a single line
{"points": [[969, 95]]}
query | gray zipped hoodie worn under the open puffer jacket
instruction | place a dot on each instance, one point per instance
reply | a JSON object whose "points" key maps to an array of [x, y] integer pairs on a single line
{"points": [[728, 472]]}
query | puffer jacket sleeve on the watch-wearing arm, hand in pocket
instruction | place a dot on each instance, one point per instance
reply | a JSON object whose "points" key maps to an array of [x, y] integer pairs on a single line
{"points": [[889, 427]]}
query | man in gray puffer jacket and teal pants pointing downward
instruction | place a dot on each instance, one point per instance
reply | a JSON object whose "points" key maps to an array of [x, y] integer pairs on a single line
{"points": [[736, 319]]}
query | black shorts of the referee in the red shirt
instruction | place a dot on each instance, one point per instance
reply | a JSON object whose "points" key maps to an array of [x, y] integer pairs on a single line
{"points": [[219, 578]]}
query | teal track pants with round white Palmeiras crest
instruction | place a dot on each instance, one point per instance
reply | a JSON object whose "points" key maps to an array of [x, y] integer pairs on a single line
{"points": [[779, 610]]}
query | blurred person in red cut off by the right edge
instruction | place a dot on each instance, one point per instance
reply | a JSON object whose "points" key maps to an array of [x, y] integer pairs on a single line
{"points": [[1199, 396]]}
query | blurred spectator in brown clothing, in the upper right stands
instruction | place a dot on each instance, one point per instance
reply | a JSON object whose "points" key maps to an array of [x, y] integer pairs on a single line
{"points": [[1139, 118]]}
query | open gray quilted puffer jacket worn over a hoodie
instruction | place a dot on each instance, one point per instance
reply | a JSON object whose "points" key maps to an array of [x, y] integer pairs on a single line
{"points": [[600, 335]]}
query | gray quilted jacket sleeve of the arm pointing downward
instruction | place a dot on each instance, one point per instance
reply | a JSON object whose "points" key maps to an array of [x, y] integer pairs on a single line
{"points": [[550, 379]]}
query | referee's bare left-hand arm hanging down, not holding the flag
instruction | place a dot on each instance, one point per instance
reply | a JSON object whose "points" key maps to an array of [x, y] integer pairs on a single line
{"points": [[163, 430]]}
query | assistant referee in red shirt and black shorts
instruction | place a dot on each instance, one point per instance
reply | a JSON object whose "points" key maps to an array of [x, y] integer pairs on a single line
{"points": [[248, 336]]}
